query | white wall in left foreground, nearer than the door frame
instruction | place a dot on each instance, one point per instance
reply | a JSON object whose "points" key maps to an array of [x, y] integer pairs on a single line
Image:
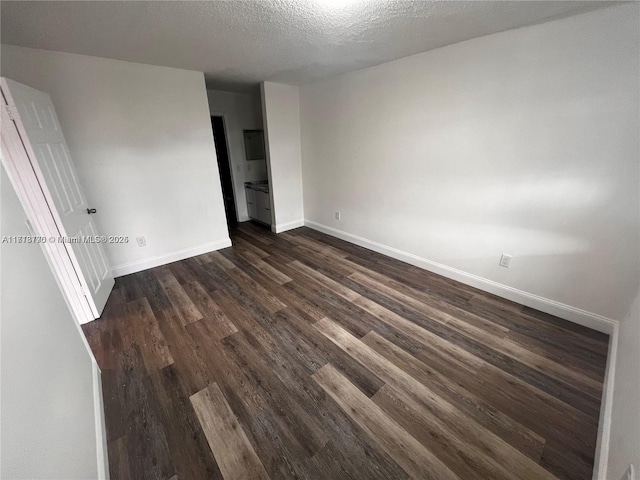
{"points": [[47, 410]]}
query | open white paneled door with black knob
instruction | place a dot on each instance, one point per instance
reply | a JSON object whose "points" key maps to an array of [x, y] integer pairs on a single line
{"points": [[37, 124]]}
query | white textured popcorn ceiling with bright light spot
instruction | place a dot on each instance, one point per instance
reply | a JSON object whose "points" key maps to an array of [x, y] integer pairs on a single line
{"points": [[238, 44]]}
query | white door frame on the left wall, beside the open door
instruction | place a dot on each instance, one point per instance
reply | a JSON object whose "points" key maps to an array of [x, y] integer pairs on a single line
{"points": [[41, 219]]}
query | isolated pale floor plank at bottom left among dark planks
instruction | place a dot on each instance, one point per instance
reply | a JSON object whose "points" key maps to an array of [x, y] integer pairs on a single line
{"points": [[228, 442]]}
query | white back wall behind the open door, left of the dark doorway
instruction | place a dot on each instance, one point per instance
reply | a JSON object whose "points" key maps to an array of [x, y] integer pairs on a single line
{"points": [[141, 139]]}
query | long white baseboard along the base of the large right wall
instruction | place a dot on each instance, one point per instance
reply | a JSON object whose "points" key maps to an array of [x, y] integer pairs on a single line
{"points": [[573, 314]]}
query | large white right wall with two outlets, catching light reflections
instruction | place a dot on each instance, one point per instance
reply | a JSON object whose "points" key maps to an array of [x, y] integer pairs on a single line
{"points": [[523, 142]]}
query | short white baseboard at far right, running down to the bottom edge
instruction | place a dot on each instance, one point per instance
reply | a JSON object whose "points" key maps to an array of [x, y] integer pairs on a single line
{"points": [[606, 410]]}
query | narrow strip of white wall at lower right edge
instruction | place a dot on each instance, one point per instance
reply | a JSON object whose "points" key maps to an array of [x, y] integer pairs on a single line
{"points": [[624, 447]]}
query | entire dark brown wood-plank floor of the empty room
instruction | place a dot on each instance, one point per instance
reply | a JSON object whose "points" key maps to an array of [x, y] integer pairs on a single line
{"points": [[303, 356]]}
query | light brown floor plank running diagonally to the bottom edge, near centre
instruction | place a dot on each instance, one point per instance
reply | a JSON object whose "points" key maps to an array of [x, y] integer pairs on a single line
{"points": [[414, 458]]}
